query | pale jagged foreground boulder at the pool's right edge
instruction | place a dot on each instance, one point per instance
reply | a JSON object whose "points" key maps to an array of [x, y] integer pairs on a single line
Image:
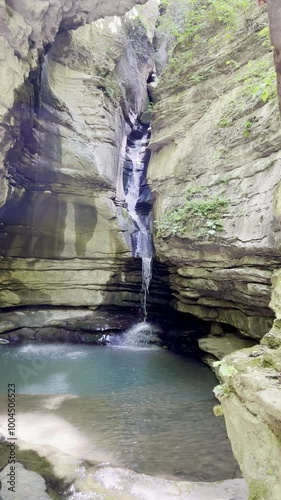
{"points": [[251, 405]]}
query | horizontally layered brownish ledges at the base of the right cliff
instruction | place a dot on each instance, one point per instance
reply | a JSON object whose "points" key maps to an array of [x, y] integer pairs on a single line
{"points": [[216, 284]]}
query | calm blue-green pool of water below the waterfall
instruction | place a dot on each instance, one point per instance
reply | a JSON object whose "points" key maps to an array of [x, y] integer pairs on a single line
{"points": [[147, 409]]}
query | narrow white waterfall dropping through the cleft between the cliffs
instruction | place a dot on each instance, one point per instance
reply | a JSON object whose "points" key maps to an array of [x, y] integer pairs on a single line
{"points": [[139, 201]]}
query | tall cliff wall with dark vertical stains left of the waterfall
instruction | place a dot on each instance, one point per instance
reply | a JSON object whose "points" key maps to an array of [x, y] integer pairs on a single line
{"points": [[61, 242]]}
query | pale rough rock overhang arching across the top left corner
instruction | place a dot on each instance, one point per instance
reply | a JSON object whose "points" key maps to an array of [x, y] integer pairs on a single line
{"points": [[25, 29]]}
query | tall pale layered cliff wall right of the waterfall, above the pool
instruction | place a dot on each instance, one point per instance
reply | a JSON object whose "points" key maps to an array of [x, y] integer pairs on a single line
{"points": [[210, 133]]}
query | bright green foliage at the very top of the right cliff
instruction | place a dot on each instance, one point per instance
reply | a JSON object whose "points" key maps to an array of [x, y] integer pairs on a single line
{"points": [[194, 25]]}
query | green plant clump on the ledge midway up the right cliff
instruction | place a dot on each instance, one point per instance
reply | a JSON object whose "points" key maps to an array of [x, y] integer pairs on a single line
{"points": [[199, 214]]}
